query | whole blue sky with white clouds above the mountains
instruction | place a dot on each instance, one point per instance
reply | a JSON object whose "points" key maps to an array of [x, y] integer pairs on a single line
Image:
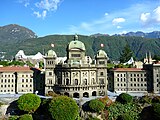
{"points": [[46, 17]]}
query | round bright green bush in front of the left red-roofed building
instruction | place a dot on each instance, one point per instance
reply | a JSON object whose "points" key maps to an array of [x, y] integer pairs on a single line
{"points": [[29, 102]]}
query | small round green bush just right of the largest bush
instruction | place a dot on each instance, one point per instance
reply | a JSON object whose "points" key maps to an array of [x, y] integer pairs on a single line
{"points": [[96, 105]]}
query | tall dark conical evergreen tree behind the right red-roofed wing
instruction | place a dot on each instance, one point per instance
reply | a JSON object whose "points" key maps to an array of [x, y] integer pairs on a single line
{"points": [[126, 54]]}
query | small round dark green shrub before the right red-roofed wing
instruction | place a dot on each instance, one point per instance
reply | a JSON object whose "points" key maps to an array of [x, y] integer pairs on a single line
{"points": [[124, 98]]}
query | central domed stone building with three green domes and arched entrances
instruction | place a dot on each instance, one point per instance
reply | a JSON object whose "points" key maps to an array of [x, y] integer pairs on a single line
{"points": [[77, 76]]}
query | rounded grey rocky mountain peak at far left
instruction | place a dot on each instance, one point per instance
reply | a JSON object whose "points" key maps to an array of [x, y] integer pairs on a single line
{"points": [[15, 33]]}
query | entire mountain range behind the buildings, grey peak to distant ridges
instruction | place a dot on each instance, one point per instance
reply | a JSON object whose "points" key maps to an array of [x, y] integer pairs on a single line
{"points": [[14, 38]]}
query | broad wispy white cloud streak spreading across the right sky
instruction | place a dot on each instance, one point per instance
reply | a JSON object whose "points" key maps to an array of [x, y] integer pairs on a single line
{"points": [[131, 18]]}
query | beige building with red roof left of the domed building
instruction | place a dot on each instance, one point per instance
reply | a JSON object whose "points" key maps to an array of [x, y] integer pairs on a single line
{"points": [[16, 80]]}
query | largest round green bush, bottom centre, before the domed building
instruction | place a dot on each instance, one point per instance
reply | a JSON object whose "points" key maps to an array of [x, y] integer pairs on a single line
{"points": [[63, 108]]}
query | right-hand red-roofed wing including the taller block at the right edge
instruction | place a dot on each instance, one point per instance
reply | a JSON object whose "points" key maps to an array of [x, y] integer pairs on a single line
{"points": [[136, 80]]}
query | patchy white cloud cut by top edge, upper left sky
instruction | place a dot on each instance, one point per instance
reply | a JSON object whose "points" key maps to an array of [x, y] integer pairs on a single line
{"points": [[49, 5]]}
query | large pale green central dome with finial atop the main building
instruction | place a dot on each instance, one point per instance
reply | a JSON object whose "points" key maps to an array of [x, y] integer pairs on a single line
{"points": [[75, 44]]}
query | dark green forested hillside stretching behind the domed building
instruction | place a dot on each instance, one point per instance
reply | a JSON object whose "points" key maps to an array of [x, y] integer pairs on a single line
{"points": [[113, 45]]}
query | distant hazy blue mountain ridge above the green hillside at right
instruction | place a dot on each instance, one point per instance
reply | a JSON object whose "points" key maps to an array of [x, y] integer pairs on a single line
{"points": [[154, 34]]}
